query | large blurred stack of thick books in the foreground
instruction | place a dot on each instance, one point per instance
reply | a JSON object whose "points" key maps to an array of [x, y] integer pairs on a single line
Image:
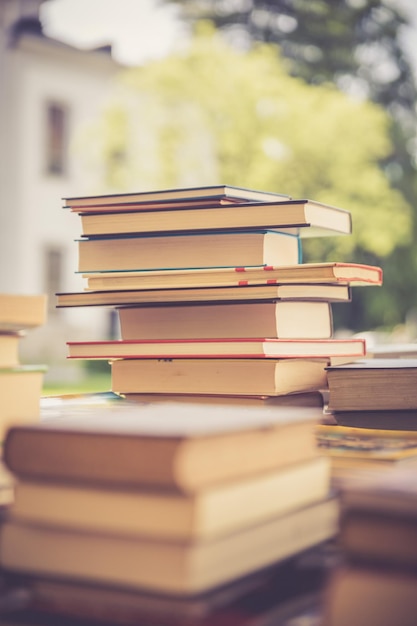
{"points": [[167, 513]]}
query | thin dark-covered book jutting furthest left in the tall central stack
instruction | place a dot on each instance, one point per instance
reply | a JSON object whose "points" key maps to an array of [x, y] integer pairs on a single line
{"points": [[243, 293]]}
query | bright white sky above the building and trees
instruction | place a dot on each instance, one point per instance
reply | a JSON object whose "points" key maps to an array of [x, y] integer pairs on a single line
{"points": [[141, 30]]}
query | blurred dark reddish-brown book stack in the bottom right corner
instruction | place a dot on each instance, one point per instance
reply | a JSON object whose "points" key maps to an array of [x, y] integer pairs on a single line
{"points": [[376, 586]]}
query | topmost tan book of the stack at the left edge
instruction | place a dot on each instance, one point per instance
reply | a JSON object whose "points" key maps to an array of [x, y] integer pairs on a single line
{"points": [[19, 312]]}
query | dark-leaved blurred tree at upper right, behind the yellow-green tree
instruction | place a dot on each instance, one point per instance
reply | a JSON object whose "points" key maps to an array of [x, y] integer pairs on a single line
{"points": [[357, 46]]}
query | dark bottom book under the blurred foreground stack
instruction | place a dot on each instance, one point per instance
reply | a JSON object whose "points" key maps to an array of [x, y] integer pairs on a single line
{"points": [[268, 596]]}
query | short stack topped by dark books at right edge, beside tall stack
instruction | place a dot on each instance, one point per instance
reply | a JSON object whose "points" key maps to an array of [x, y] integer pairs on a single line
{"points": [[374, 406]]}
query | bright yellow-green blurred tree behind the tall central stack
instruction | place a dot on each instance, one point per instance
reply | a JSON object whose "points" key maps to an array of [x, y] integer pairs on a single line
{"points": [[180, 121]]}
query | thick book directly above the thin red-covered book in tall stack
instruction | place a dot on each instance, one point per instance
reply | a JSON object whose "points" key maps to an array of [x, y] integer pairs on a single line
{"points": [[284, 319]]}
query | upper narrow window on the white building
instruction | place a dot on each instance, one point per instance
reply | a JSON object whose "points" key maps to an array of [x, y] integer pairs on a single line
{"points": [[56, 138]]}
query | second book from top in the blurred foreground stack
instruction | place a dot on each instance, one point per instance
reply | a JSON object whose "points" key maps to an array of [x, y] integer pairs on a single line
{"points": [[205, 514]]}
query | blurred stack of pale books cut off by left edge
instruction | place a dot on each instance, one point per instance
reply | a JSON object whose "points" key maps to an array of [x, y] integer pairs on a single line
{"points": [[20, 384]]}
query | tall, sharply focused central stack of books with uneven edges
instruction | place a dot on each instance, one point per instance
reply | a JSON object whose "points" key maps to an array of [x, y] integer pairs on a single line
{"points": [[211, 293]]}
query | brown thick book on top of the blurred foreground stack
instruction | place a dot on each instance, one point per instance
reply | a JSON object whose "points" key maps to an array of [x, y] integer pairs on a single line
{"points": [[170, 445]]}
